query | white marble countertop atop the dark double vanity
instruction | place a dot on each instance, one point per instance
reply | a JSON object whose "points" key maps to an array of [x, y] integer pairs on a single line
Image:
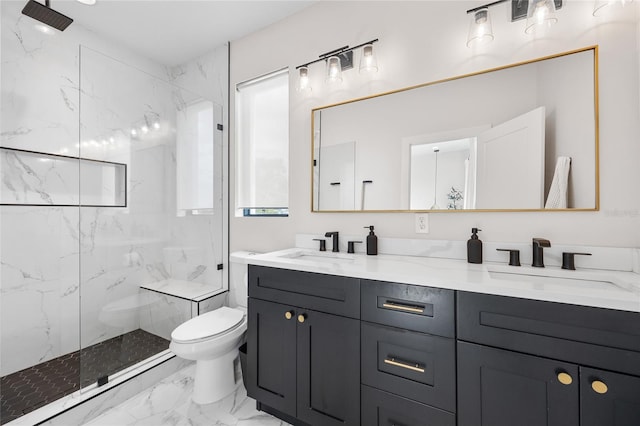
{"points": [[588, 287]]}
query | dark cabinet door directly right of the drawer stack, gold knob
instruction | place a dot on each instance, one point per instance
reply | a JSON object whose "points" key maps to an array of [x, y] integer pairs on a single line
{"points": [[502, 388]]}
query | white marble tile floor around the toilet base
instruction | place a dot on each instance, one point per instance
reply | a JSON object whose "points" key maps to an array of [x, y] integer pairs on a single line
{"points": [[168, 403]]}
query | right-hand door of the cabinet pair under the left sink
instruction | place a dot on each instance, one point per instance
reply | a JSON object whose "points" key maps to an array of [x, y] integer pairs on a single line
{"points": [[328, 369]]}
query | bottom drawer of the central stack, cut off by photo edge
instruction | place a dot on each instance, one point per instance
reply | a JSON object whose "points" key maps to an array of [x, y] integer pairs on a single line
{"points": [[384, 409]]}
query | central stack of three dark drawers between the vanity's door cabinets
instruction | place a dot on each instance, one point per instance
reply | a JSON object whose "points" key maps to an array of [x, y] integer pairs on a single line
{"points": [[408, 356]]}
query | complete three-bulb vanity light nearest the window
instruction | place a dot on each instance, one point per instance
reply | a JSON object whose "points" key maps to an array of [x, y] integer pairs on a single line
{"points": [[337, 61]]}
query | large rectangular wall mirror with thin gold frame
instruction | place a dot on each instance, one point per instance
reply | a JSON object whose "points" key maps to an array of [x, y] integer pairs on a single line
{"points": [[519, 137]]}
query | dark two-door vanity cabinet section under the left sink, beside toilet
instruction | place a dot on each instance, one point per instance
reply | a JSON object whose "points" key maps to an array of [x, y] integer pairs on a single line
{"points": [[304, 346]]}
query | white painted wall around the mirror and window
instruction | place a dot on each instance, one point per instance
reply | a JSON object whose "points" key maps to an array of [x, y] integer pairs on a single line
{"points": [[425, 41]]}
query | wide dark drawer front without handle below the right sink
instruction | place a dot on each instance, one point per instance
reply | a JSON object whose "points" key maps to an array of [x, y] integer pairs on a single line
{"points": [[597, 337]]}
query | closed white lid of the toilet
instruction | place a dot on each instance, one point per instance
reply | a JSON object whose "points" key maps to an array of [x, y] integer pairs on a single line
{"points": [[208, 325]]}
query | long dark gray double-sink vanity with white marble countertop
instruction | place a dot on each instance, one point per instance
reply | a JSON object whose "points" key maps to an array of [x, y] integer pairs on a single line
{"points": [[329, 344]]}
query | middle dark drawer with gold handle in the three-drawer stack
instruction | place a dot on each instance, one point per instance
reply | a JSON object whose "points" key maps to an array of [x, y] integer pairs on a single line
{"points": [[417, 366]]}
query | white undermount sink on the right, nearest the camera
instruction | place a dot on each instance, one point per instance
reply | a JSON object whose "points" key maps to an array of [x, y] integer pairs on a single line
{"points": [[553, 277]]}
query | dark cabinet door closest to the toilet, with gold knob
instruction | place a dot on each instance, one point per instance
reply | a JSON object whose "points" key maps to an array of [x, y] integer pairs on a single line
{"points": [[271, 355]]}
